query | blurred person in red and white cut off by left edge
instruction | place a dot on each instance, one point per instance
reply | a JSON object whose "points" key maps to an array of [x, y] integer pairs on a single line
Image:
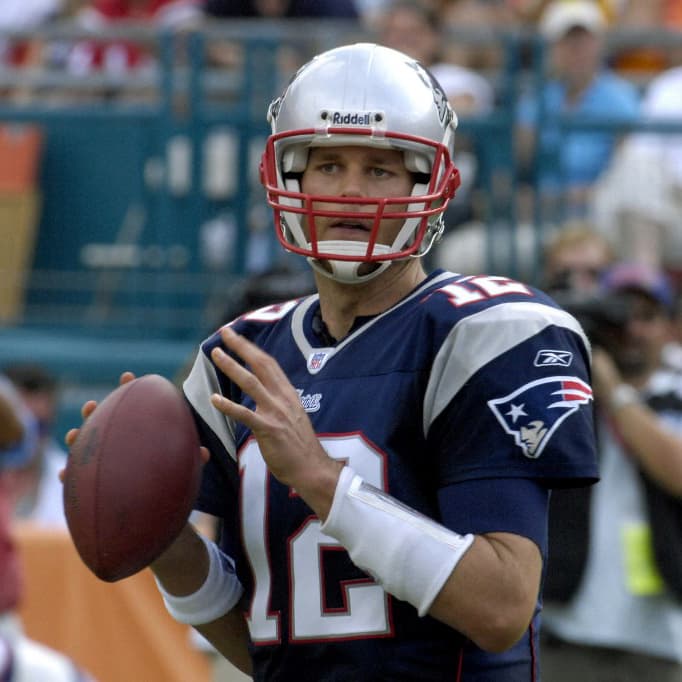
{"points": [[21, 658]]}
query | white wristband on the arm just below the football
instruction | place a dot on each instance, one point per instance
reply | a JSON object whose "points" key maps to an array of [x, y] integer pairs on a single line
{"points": [[219, 593]]}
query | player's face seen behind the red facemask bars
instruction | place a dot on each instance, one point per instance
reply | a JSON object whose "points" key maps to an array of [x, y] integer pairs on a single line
{"points": [[356, 172]]}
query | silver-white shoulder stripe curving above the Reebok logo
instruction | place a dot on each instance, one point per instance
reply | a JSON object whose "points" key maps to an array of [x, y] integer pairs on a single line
{"points": [[480, 338]]}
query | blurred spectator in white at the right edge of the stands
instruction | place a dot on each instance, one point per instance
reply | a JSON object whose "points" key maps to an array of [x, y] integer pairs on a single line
{"points": [[638, 201]]}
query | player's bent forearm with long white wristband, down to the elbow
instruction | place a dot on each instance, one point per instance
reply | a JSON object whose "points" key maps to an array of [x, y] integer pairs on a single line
{"points": [[485, 587]]}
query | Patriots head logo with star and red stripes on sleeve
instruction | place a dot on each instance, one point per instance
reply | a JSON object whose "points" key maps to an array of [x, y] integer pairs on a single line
{"points": [[533, 413]]}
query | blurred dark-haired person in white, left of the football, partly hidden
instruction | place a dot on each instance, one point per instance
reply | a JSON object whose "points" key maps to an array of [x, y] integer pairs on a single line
{"points": [[42, 499]]}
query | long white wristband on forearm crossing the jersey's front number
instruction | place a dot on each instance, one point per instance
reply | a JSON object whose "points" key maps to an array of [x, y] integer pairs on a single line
{"points": [[408, 554]]}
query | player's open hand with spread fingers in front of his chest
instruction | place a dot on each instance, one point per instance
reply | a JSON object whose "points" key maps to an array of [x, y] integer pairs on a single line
{"points": [[283, 430]]}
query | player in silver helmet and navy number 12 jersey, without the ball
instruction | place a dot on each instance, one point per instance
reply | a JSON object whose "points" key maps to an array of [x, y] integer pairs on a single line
{"points": [[381, 451]]}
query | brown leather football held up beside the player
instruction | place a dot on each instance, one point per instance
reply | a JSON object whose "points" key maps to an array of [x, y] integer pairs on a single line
{"points": [[132, 477]]}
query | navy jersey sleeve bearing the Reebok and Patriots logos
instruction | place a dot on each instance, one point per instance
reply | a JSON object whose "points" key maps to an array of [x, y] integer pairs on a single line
{"points": [[526, 412]]}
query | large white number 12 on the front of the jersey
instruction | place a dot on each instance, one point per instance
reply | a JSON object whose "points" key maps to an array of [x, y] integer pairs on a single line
{"points": [[366, 611]]}
